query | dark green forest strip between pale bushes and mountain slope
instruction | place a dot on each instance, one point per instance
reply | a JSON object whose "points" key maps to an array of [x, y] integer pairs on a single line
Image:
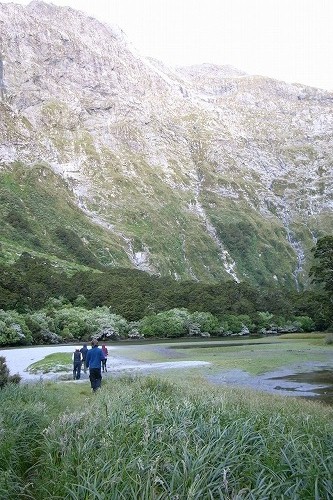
{"points": [[32, 283]]}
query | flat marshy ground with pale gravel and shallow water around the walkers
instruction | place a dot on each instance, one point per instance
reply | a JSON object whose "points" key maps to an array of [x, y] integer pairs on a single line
{"points": [[290, 366]]}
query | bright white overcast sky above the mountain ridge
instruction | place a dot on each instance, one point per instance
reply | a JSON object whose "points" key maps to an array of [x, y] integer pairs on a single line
{"points": [[290, 40]]}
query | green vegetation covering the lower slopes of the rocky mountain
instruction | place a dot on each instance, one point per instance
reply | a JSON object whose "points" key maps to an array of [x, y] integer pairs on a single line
{"points": [[39, 214]]}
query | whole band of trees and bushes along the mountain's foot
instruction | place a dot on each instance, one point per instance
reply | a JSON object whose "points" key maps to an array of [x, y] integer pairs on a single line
{"points": [[33, 286]]}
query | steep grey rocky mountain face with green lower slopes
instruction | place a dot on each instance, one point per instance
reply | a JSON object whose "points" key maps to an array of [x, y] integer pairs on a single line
{"points": [[201, 173]]}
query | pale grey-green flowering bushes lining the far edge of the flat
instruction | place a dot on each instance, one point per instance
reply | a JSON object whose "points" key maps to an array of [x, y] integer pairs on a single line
{"points": [[60, 322]]}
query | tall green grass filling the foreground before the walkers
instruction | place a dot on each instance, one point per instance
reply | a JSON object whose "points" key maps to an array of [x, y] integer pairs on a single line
{"points": [[147, 438]]}
